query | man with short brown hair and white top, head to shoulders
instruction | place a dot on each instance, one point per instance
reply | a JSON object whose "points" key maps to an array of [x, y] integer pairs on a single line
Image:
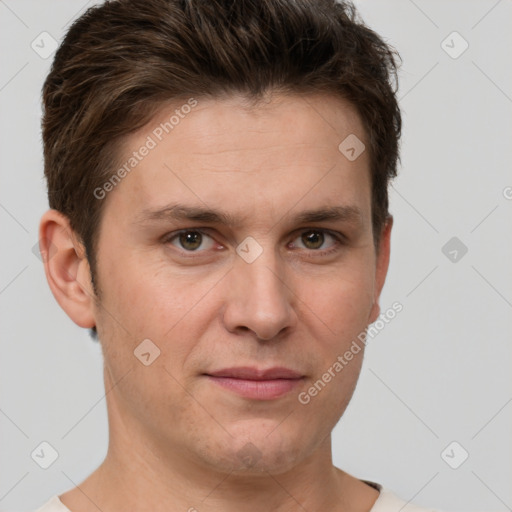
{"points": [[217, 173]]}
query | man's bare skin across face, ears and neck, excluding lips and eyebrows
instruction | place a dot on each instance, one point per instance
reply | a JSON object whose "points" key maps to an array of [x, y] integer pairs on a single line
{"points": [[176, 437]]}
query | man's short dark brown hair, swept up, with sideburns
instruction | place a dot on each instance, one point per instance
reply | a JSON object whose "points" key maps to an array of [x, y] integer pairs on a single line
{"points": [[121, 60]]}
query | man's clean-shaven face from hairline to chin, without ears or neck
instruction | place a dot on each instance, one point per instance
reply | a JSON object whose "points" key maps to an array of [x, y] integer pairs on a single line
{"points": [[294, 295]]}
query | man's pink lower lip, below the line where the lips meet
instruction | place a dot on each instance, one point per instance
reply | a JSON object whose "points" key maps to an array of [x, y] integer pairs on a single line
{"points": [[257, 389]]}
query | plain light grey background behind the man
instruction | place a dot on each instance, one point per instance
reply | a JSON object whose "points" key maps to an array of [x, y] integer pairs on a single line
{"points": [[439, 372]]}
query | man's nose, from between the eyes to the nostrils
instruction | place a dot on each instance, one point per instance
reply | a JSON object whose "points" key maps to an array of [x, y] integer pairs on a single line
{"points": [[258, 298]]}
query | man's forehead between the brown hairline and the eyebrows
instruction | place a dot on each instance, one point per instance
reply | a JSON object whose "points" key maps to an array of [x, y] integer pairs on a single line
{"points": [[248, 158]]}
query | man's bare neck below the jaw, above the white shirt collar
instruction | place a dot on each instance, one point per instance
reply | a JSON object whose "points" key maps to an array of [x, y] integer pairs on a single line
{"points": [[143, 473]]}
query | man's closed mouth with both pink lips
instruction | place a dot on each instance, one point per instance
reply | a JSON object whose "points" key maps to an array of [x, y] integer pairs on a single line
{"points": [[257, 384]]}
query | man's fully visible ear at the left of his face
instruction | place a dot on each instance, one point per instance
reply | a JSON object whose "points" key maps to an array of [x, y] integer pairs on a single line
{"points": [[67, 269]]}
